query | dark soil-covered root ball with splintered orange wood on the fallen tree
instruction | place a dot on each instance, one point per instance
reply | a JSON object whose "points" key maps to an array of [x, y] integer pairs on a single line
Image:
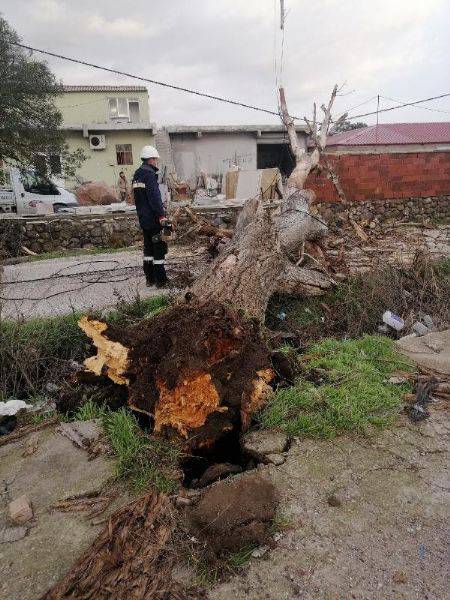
{"points": [[199, 370]]}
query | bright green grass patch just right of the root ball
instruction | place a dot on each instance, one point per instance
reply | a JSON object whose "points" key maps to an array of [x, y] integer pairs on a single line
{"points": [[354, 396]]}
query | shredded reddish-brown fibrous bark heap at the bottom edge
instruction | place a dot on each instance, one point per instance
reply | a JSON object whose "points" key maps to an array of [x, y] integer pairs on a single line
{"points": [[131, 559]]}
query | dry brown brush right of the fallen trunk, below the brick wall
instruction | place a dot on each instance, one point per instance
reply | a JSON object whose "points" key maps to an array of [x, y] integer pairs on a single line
{"points": [[355, 306]]}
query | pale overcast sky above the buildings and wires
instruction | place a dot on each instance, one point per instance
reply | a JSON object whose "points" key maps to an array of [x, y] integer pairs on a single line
{"points": [[396, 48]]}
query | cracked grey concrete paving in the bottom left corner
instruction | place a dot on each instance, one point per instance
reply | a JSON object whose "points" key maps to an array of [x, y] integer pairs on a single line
{"points": [[58, 469]]}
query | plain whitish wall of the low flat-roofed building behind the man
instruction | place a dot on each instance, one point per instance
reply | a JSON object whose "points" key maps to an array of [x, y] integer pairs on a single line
{"points": [[213, 153]]}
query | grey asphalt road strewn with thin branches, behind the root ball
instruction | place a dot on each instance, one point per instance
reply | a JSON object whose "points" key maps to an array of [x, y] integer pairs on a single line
{"points": [[59, 286]]}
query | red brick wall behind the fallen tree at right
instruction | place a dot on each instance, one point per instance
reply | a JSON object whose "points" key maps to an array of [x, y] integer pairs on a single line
{"points": [[384, 176]]}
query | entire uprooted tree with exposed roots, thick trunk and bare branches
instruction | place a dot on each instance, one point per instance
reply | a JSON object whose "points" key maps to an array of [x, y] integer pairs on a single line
{"points": [[202, 368]]}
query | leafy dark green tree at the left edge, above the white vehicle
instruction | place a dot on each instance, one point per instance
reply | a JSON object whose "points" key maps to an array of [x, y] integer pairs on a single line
{"points": [[29, 119]]}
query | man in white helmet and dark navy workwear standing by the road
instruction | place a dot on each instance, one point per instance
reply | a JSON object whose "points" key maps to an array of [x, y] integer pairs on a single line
{"points": [[151, 215]]}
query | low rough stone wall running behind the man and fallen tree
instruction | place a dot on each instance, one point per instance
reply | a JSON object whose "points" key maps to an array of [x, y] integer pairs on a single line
{"points": [[69, 232]]}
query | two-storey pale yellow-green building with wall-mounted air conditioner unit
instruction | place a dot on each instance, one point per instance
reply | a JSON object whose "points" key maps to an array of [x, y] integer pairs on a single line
{"points": [[111, 124]]}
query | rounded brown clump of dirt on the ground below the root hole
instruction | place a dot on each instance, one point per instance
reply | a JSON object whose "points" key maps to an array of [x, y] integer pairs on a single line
{"points": [[235, 513]]}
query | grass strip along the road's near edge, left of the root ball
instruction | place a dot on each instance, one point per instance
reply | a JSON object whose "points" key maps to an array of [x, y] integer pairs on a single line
{"points": [[35, 352]]}
